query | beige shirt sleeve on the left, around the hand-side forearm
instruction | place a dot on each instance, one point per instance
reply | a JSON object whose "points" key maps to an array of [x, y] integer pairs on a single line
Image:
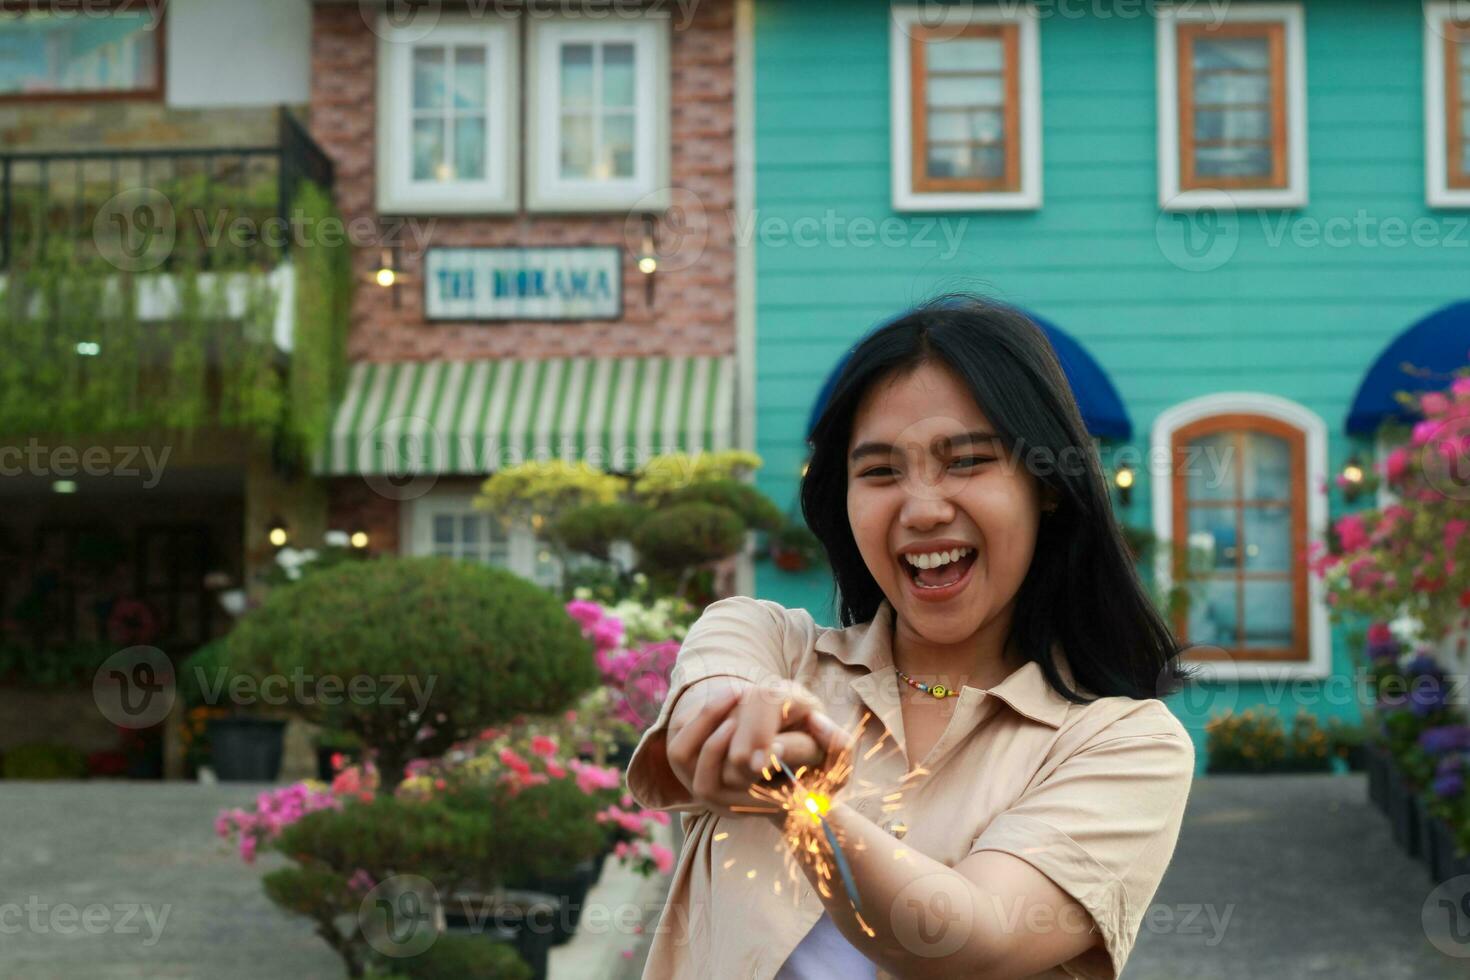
{"points": [[737, 637]]}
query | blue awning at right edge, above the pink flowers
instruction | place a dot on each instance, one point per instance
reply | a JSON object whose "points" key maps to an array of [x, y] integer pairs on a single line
{"points": [[1421, 359]]}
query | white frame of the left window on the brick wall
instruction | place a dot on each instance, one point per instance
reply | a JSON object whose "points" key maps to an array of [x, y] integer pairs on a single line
{"points": [[398, 192]]}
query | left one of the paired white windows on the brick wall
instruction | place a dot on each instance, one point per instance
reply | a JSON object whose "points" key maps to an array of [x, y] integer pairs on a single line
{"points": [[448, 117]]}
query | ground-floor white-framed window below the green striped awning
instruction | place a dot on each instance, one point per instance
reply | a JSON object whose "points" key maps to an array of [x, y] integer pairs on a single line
{"points": [[445, 522]]}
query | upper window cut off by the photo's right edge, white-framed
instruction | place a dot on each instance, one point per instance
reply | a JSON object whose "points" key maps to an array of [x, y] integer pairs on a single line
{"points": [[1447, 104]]}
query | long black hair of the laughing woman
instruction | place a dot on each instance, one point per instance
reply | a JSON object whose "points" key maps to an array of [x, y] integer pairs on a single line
{"points": [[1083, 588]]}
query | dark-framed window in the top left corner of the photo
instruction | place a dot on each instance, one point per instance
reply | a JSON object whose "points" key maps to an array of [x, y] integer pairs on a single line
{"points": [[107, 51]]}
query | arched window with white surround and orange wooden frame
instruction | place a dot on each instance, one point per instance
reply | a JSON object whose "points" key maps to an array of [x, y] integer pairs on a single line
{"points": [[1244, 494]]}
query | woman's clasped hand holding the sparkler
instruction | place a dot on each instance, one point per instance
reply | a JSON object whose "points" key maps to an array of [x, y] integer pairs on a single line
{"points": [[724, 731]]}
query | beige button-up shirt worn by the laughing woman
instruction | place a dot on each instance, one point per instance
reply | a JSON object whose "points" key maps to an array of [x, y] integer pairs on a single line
{"points": [[1091, 796]]}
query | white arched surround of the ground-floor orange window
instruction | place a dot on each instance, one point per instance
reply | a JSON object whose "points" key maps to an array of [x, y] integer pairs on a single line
{"points": [[1315, 433]]}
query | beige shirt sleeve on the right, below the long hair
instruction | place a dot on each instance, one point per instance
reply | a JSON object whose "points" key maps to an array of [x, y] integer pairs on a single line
{"points": [[1103, 826]]}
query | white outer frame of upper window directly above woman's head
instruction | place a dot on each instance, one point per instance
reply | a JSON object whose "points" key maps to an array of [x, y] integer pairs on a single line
{"points": [[902, 23]]}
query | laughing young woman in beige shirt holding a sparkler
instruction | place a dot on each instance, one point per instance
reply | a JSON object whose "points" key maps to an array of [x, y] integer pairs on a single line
{"points": [[1018, 785]]}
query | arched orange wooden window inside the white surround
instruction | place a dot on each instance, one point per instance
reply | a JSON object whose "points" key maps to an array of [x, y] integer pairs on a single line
{"points": [[1240, 525]]}
